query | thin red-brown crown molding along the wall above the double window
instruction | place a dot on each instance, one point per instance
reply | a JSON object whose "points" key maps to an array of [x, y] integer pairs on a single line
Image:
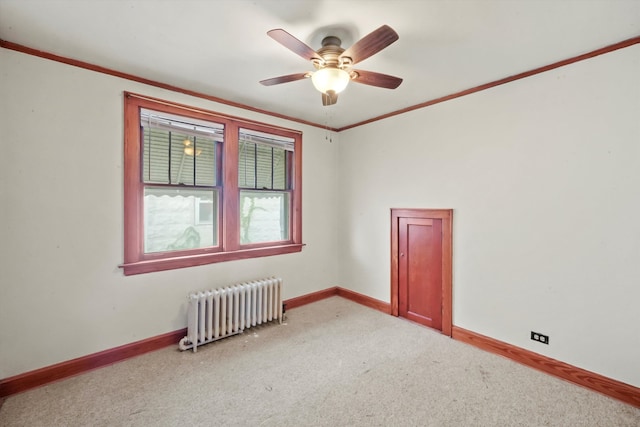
{"points": [[99, 69]]}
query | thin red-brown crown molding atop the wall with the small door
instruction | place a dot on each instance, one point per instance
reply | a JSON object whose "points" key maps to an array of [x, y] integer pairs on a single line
{"points": [[578, 58]]}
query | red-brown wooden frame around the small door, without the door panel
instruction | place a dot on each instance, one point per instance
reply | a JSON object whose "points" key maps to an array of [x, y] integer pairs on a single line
{"points": [[446, 215]]}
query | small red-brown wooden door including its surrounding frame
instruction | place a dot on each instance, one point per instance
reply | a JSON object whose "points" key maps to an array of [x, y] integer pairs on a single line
{"points": [[421, 267]]}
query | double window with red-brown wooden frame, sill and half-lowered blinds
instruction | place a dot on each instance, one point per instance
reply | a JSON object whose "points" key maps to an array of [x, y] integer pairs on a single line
{"points": [[202, 187]]}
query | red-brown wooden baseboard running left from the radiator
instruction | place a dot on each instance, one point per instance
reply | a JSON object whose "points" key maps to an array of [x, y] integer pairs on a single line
{"points": [[42, 376]]}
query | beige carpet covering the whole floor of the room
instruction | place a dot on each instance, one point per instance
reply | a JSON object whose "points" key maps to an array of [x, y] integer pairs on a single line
{"points": [[332, 363]]}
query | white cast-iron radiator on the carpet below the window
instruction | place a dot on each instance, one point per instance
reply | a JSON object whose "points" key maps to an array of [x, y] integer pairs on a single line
{"points": [[222, 312]]}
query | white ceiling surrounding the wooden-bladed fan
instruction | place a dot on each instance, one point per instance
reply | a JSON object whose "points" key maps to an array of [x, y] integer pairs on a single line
{"points": [[220, 47]]}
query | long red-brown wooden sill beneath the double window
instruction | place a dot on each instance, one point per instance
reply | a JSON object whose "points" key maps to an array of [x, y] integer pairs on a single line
{"points": [[150, 266]]}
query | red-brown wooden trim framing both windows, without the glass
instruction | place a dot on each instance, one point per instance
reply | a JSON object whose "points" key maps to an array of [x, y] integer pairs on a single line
{"points": [[135, 260]]}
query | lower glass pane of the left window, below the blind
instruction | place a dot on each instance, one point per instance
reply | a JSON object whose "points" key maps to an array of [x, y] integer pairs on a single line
{"points": [[178, 219]]}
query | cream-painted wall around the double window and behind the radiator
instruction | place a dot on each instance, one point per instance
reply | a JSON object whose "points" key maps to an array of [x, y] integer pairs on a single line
{"points": [[62, 294]]}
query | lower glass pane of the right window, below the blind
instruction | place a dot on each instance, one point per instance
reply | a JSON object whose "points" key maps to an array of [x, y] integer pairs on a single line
{"points": [[264, 216]]}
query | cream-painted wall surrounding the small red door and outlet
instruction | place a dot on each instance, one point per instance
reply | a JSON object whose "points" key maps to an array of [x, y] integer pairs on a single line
{"points": [[543, 175]]}
